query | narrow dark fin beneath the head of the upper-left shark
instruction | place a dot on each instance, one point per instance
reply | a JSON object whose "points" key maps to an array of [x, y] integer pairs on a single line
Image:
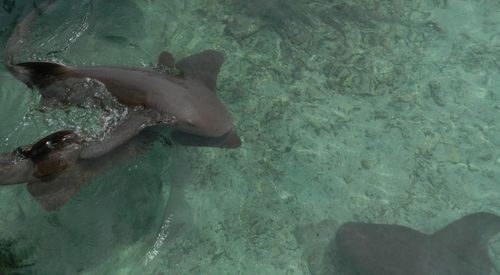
{"points": [[228, 140]]}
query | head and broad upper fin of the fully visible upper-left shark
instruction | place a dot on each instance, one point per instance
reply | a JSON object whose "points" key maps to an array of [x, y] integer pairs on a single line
{"points": [[198, 110]]}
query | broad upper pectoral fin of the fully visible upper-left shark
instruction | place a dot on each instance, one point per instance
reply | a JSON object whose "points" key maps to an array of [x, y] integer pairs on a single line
{"points": [[204, 66]]}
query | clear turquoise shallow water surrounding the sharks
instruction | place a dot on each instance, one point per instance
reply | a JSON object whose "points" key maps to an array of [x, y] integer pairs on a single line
{"points": [[371, 111]]}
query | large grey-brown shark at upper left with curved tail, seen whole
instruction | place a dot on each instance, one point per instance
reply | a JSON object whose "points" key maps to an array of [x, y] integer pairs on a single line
{"points": [[179, 94]]}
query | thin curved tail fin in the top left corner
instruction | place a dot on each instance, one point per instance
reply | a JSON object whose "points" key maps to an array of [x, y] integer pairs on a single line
{"points": [[18, 37]]}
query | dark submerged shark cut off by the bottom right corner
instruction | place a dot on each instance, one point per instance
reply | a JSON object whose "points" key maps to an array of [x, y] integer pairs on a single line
{"points": [[459, 248]]}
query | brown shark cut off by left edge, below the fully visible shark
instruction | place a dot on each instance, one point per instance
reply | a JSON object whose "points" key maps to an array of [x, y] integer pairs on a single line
{"points": [[54, 170]]}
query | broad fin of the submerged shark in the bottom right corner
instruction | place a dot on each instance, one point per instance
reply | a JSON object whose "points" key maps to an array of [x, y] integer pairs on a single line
{"points": [[468, 238]]}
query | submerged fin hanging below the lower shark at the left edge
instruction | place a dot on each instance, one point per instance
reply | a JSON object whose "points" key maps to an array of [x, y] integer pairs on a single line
{"points": [[52, 195]]}
